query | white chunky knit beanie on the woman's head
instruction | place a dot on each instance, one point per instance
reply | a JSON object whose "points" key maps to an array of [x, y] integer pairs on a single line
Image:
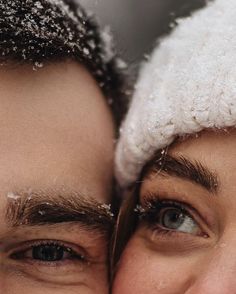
{"points": [[189, 84]]}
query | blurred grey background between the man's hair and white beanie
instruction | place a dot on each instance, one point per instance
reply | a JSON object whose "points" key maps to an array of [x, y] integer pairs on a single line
{"points": [[136, 24]]}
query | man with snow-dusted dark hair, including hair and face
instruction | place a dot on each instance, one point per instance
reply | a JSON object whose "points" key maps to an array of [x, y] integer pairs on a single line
{"points": [[61, 103]]}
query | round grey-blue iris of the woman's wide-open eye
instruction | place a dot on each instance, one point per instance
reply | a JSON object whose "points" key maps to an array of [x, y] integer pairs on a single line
{"points": [[173, 219]]}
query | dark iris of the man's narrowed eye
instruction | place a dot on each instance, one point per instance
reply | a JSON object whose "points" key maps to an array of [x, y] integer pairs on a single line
{"points": [[48, 253]]}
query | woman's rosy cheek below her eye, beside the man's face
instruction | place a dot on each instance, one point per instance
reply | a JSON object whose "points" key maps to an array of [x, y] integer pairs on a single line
{"points": [[144, 271]]}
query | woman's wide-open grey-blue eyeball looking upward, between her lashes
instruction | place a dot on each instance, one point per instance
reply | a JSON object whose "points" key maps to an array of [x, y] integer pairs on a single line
{"points": [[176, 219]]}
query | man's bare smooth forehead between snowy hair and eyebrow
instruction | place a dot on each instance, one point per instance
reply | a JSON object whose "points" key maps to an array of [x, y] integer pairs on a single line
{"points": [[55, 130]]}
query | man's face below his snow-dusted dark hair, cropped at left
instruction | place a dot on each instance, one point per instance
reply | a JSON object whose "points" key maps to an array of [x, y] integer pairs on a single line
{"points": [[55, 178]]}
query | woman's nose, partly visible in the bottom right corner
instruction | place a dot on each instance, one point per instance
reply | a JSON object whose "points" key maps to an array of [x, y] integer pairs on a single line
{"points": [[217, 275]]}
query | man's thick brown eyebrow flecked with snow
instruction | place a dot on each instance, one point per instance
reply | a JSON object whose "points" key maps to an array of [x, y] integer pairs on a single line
{"points": [[41, 208]]}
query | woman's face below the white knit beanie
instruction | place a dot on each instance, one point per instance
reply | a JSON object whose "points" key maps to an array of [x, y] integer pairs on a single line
{"points": [[186, 236]]}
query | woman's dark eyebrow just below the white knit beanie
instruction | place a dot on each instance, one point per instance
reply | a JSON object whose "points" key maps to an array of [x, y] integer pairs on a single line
{"points": [[184, 168]]}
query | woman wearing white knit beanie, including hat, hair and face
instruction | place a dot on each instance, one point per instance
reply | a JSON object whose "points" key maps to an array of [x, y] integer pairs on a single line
{"points": [[176, 157]]}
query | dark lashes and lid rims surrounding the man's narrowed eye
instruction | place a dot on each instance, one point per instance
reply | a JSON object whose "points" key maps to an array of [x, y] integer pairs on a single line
{"points": [[21, 253]]}
